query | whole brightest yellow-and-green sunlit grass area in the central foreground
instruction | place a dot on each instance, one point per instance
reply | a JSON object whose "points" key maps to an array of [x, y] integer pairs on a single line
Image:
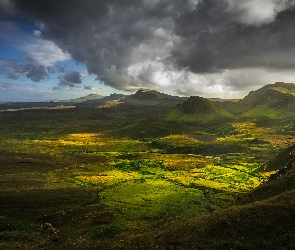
{"points": [[146, 189]]}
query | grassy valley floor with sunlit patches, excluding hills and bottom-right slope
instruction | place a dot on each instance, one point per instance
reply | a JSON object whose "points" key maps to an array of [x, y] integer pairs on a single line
{"points": [[106, 178]]}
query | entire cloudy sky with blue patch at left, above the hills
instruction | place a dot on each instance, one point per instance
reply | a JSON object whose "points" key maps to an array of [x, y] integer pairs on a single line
{"points": [[62, 49]]}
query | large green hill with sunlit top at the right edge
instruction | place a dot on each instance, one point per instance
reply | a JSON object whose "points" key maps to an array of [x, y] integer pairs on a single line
{"points": [[273, 100]]}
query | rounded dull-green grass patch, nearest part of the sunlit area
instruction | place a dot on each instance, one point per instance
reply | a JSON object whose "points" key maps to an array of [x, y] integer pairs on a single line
{"points": [[154, 198]]}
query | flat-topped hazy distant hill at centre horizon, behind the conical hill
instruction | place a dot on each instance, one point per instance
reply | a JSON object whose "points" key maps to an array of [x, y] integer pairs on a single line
{"points": [[152, 97]]}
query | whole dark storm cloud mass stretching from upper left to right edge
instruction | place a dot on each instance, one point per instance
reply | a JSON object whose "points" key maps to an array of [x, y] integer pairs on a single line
{"points": [[125, 42]]}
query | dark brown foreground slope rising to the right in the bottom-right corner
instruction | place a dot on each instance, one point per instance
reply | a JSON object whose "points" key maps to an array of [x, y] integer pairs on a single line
{"points": [[261, 219]]}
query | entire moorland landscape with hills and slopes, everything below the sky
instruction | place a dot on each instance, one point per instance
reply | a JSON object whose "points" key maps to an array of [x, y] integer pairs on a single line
{"points": [[149, 171]]}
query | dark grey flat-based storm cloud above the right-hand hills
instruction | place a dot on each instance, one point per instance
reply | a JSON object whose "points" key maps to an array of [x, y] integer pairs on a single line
{"points": [[214, 39]]}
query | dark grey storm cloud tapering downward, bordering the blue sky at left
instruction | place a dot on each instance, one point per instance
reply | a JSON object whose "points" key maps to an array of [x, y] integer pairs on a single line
{"points": [[102, 34]]}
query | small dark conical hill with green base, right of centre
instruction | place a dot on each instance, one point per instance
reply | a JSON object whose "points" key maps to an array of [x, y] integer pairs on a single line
{"points": [[197, 109]]}
